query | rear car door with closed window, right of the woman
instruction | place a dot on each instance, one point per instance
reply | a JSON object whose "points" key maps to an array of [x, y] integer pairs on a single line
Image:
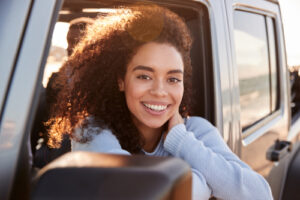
{"points": [[260, 74]]}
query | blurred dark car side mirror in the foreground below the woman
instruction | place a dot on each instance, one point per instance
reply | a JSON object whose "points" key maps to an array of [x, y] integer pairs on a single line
{"points": [[86, 175]]}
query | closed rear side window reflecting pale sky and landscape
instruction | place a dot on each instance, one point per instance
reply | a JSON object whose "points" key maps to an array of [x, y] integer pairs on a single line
{"points": [[257, 66]]}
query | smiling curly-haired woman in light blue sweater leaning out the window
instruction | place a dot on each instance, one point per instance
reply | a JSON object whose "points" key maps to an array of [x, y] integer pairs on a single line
{"points": [[129, 94]]}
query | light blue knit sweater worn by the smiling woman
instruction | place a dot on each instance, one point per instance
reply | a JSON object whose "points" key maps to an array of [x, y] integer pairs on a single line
{"points": [[216, 169]]}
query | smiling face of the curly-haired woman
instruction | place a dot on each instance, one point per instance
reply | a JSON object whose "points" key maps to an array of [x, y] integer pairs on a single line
{"points": [[153, 84]]}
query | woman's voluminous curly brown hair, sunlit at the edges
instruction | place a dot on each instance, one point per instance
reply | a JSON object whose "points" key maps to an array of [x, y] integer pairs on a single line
{"points": [[89, 78]]}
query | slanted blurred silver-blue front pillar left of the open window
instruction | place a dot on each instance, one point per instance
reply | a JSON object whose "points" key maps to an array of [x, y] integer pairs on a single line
{"points": [[23, 91]]}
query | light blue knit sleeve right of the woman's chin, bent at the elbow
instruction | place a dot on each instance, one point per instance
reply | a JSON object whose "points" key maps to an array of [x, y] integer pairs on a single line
{"points": [[200, 145]]}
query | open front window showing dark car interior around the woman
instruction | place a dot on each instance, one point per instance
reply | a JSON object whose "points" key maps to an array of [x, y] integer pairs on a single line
{"points": [[196, 18]]}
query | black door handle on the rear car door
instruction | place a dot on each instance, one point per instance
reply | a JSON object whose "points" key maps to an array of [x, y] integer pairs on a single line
{"points": [[279, 150]]}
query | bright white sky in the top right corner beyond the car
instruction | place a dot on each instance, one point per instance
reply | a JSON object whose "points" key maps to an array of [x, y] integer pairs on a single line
{"points": [[290, 10]]}
